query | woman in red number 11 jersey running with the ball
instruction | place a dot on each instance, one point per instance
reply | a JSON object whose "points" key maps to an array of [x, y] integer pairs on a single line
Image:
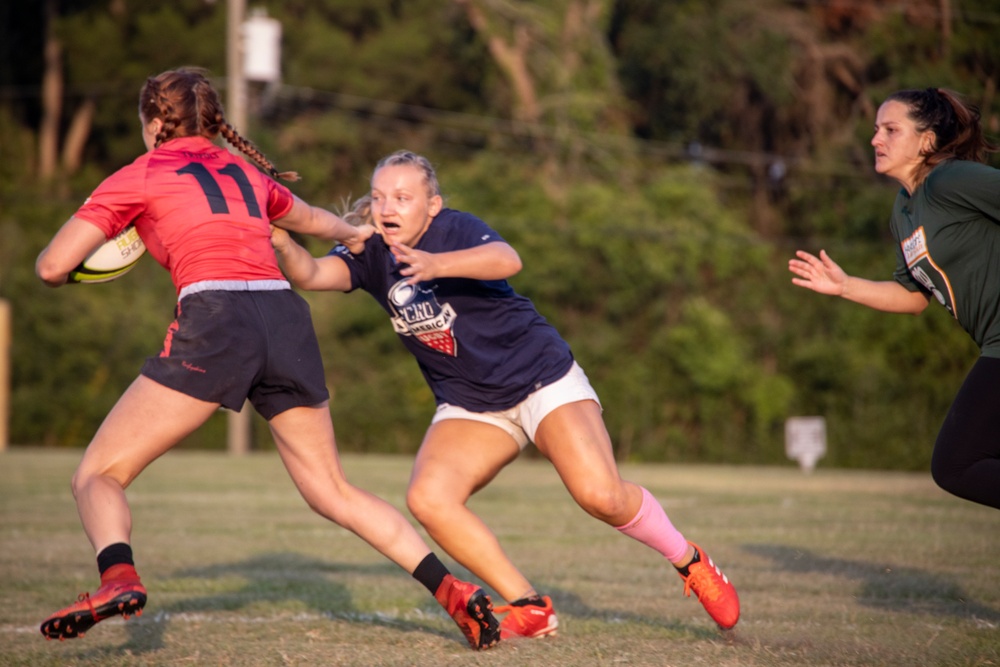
{"points": [[240, 333]]}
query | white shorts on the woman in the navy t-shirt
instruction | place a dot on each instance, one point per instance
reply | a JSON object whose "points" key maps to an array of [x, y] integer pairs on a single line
{"points": [[522, 420]]}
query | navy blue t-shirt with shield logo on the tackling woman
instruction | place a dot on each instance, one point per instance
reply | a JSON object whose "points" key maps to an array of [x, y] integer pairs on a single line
{"points": [[479, 344]]}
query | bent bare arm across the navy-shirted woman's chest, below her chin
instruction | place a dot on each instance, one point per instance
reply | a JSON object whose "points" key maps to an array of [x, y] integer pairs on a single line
{"points": [[492, 261]]}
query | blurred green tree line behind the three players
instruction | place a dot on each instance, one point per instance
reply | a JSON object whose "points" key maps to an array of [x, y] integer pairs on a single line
{"points": [[654, 163]]}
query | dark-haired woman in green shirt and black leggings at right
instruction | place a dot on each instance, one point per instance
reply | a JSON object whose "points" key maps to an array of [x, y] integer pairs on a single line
{"points": [[946, 223]]}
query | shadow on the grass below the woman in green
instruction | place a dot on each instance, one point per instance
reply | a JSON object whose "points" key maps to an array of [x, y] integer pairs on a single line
{"points": [[883, 585]]}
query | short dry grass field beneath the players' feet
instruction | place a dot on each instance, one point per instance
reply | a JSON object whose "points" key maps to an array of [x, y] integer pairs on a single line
{"points": [[833, 568]]}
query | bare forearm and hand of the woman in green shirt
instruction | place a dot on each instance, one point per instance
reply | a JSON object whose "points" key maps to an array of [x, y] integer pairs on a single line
{"points": [[821, 274]]}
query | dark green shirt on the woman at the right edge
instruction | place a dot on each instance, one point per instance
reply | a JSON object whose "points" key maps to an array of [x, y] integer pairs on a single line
{"points": [[948, 245]]}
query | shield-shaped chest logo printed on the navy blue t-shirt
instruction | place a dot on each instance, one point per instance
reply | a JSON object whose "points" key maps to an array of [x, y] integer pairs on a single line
{"points": [[416, 312]]}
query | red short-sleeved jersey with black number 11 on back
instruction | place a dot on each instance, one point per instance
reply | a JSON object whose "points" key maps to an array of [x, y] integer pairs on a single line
{"points": [[202, 212]]}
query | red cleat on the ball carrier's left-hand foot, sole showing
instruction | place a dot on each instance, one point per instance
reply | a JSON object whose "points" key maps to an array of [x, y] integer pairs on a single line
{"points": [[115, 597]]}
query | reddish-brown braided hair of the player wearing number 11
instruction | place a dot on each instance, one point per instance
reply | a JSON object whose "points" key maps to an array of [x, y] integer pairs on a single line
{"points": [[189, 106]]}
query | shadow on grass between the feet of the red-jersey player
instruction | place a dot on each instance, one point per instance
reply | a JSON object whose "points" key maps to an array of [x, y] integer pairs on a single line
{"points": [[278, 578]]}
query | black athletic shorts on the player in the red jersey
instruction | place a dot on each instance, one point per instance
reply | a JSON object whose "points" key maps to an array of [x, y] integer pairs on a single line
{"points": [[227, 346]]}
